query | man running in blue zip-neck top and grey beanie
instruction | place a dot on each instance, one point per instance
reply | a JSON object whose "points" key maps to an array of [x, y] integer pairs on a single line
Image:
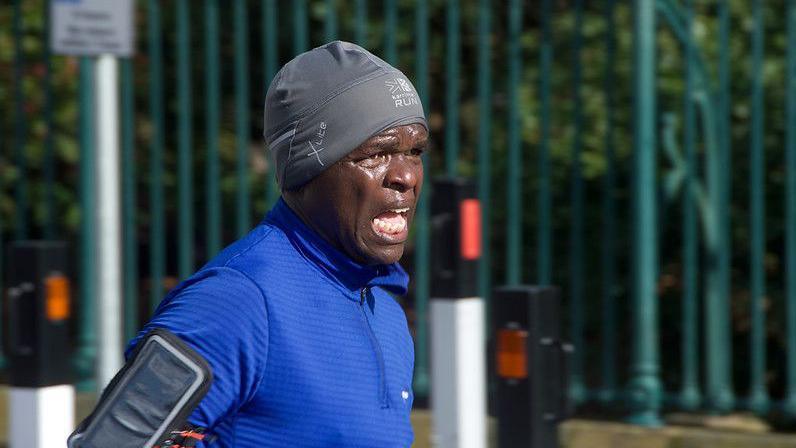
{"points": [[296, 320]]}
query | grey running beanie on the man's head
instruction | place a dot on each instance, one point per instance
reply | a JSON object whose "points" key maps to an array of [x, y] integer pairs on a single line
{"points": [[326, 102]]}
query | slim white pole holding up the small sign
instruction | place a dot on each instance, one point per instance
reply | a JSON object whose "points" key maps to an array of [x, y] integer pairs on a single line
{"points": [[109, 248]]}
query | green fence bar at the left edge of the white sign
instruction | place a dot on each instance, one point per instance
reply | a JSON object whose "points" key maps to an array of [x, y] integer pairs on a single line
{"points": [[49, 162]]}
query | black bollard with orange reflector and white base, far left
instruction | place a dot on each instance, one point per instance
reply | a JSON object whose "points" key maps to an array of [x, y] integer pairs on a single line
{"points": [[37, 313]]}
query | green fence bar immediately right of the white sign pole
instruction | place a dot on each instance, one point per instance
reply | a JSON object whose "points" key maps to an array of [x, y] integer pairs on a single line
{"points": [[129, 201]]}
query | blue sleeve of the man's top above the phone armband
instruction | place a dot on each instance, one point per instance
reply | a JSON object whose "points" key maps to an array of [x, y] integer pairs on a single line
{"points": [[221, 313]]}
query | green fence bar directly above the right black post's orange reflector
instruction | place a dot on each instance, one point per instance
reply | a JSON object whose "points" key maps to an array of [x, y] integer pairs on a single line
{"points": [[514, 169]]}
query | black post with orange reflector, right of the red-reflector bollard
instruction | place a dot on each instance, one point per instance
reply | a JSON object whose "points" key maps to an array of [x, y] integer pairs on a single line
{"points": [[531, 366]]}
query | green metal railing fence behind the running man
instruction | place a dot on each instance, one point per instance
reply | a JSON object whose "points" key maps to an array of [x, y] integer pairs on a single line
{"points": [[608, 140]]}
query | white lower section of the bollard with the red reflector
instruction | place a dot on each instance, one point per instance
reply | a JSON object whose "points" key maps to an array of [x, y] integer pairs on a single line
{"points": [[458, 373]]}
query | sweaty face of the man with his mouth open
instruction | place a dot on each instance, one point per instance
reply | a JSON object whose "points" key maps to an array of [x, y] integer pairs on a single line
{"points": [[364, 203]]}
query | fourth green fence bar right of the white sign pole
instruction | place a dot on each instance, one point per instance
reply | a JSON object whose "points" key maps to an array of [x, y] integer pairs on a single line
{"points": [[212, 124]]}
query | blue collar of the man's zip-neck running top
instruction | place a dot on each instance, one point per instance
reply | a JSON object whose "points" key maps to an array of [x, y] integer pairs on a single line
{"points": [[335, 264]]}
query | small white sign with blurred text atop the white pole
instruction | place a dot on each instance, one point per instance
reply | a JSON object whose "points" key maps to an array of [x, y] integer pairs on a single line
{"points": [[92, 27]]}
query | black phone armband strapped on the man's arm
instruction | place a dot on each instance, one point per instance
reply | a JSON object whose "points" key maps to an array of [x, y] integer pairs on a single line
{"points": [[150, 398]]}
